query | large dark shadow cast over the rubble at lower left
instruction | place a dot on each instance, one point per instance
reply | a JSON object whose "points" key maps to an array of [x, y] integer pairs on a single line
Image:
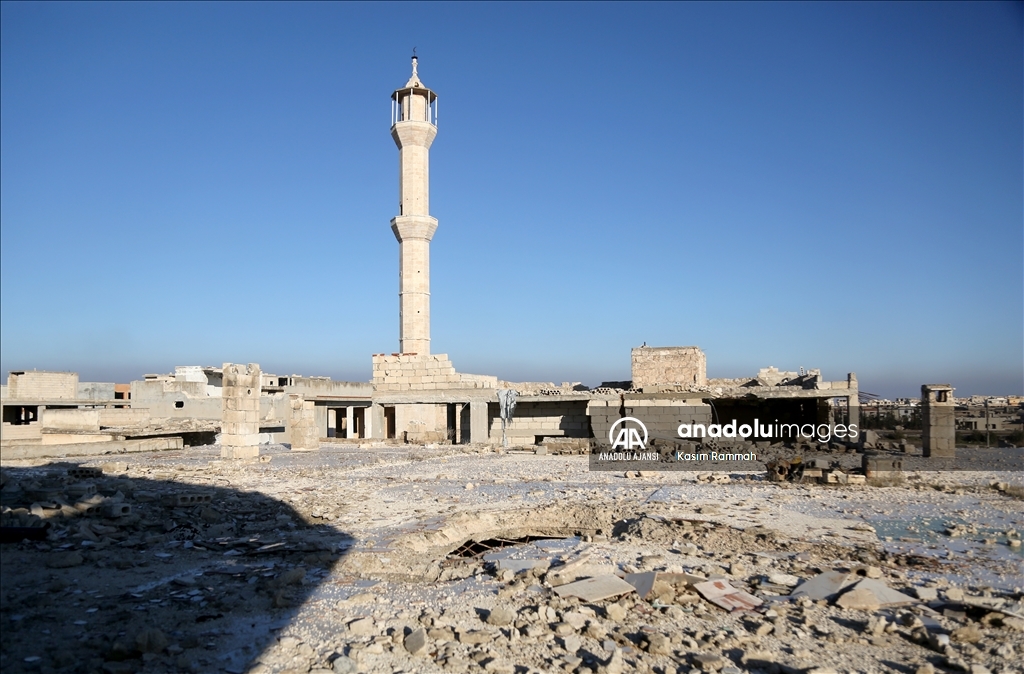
{"points": [[135, 575]]}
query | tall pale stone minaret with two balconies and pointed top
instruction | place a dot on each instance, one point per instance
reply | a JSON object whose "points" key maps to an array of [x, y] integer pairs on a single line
{"points": [[414, 125]]}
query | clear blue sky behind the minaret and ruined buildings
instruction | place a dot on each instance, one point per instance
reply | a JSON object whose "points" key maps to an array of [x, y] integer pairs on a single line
{"points": [[821, 185]]}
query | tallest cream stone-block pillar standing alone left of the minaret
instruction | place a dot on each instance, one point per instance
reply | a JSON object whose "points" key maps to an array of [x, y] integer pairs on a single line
{"points": [[240, 412]]}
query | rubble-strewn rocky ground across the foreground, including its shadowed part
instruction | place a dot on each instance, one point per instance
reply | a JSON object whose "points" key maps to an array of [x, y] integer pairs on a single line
{"points": [[403, 560]]}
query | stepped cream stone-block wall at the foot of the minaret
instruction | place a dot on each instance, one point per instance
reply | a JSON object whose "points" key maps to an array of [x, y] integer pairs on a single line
{"points": [[415, 372]]}
